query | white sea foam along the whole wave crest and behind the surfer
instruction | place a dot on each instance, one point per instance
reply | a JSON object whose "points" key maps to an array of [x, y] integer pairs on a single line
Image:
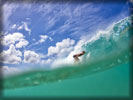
{"points": [[85, 40]]}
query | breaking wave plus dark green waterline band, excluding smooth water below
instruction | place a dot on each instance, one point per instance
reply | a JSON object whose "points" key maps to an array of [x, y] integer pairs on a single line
{"points": [[105, 50]]}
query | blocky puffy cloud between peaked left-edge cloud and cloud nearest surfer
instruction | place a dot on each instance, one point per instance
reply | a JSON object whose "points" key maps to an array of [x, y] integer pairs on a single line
{"points": [[31, 57]]}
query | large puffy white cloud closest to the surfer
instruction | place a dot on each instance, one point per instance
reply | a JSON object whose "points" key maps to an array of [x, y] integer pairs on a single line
{"points": [[61, 48]]}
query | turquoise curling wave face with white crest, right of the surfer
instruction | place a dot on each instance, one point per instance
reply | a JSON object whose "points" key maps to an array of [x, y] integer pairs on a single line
{"points": [[111, 42]]}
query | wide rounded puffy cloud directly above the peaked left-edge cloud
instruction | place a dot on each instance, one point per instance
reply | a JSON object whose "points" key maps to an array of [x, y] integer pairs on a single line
{"points": [[13, 38]]}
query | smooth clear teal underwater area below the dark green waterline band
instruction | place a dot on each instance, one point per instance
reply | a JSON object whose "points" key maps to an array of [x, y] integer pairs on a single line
{"points": [[112, 82]]}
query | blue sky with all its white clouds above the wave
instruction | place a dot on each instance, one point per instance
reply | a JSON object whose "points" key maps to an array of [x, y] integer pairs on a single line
{"points": [[40, 33]]}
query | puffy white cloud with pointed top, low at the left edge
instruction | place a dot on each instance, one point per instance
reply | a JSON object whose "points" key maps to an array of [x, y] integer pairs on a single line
{"points": [[11, 56]]}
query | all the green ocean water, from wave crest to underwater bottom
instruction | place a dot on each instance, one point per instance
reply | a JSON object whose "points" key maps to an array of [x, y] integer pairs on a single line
{"points": [[104, 70]]}
